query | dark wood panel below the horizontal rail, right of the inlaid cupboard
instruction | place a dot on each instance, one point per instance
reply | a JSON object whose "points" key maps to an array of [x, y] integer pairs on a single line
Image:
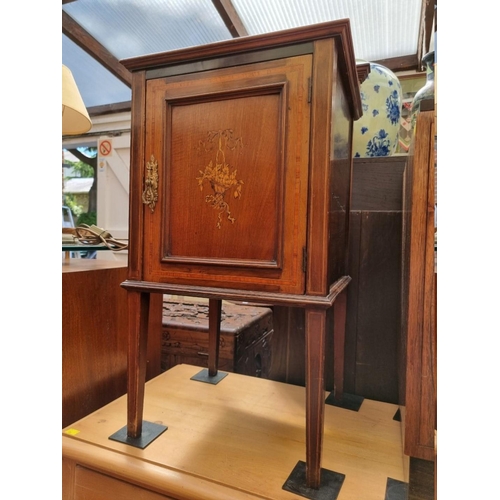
{"points": [[378, 306]]}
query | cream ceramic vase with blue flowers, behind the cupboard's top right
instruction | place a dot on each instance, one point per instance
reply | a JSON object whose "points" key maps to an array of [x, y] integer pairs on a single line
{"points": [[376, 133]]}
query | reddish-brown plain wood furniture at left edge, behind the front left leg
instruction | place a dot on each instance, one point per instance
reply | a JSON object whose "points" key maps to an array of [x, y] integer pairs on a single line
{"points": [[94, 338]]}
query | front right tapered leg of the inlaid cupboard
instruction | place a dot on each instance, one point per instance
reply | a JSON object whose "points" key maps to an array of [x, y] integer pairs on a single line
{"points": [[315, 393]]}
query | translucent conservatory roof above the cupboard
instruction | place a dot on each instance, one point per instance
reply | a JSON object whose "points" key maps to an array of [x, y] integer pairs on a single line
{"points": [[382, 30]]}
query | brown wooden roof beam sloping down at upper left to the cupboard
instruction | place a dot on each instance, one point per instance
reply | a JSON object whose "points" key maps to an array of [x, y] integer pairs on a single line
{"points": [[90, 45]]}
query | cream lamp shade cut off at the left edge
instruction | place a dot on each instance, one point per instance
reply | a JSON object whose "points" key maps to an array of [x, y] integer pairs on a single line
{"points": [[75, 118]]}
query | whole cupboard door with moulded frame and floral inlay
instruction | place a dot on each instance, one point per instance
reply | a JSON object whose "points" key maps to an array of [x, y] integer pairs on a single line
{"points": [[231, 151]]}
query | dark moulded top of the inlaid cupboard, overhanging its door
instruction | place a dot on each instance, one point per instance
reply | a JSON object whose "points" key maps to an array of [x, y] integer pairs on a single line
{"points": [[340, 30]]}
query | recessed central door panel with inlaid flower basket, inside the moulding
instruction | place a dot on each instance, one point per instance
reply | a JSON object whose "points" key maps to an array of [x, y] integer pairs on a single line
{"points": [[218, 201]]}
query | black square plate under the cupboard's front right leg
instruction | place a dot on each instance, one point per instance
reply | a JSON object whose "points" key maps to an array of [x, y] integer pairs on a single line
{"points": [[329, 487]]}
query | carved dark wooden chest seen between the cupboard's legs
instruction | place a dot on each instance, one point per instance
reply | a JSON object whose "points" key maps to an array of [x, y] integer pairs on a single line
{"points": [[245, 341]]}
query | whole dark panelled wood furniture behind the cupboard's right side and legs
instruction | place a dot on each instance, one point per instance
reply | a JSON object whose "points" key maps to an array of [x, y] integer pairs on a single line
{"points": [[373, 296]]}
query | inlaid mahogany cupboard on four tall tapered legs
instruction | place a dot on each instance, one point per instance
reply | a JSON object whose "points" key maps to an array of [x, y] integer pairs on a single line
{"points": [[240, 189]]}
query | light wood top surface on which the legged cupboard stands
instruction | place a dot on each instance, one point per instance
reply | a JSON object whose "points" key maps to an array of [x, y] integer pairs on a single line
{"points": [[238, 439]]}
